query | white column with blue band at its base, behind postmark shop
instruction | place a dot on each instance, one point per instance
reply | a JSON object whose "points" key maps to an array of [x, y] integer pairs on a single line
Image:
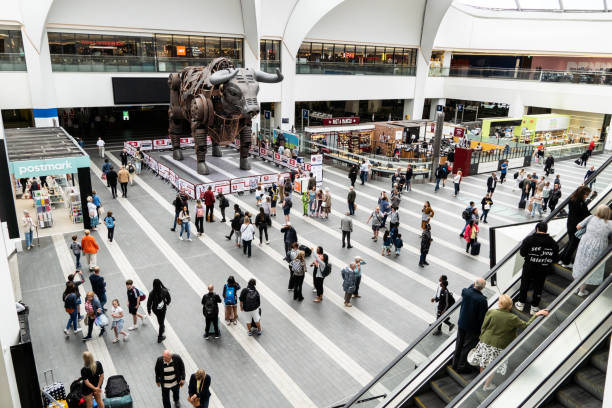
{"points": [[42, 86]]}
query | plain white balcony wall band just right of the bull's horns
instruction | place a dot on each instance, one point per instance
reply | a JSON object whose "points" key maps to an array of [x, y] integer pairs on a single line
{"points": [[352, 87]]}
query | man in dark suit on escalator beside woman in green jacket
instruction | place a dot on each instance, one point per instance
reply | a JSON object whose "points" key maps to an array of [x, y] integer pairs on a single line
{"points": [[471, 316]]}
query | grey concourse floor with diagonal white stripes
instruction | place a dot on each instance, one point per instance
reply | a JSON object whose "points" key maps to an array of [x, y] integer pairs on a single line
{"points": [[309, 354]]}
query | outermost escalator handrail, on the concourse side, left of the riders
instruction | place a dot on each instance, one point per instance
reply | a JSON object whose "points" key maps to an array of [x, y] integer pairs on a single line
{"points": [[457, 304]]}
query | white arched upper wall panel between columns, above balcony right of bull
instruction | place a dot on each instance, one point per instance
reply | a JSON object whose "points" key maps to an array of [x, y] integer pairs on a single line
{"points": [[381, 21]]}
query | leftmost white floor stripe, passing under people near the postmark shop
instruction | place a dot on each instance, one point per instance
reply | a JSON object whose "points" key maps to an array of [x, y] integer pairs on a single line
{"points": [[96, 345]]}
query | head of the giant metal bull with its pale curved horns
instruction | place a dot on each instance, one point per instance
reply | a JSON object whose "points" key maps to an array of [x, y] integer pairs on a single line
{"points": [[239, 88]]}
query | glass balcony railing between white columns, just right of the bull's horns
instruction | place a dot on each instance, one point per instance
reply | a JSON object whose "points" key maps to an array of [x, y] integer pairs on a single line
{"points": [[342, 68]]}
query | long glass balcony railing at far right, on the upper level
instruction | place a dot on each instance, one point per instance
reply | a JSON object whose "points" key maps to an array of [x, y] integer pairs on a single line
{"points": [[573, 77]]}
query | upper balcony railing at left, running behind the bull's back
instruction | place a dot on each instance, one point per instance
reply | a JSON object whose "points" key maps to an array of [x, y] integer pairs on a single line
{"points": [[111, 63]]}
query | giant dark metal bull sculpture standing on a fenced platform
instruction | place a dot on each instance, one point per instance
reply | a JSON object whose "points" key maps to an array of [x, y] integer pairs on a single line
{"points": [[219, 101]]}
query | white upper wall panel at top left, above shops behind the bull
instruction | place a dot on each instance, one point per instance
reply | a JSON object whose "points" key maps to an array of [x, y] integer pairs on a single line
{"points": [[209, 16]]}
